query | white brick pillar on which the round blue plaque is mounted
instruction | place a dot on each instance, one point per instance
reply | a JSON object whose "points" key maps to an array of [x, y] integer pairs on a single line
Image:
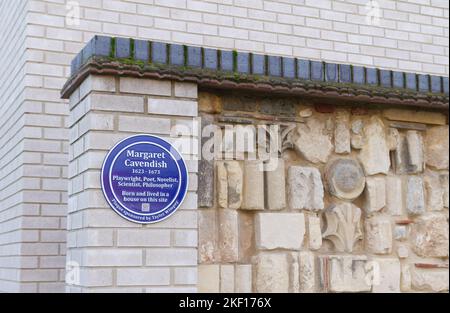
{"points": [[113, 253]]}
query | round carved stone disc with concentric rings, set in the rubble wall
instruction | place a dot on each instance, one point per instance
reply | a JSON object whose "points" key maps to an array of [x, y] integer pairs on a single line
{"points": [[345, 179]]}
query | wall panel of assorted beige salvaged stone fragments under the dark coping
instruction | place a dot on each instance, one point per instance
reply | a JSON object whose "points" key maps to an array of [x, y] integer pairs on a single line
{"points": [[357, 200]]}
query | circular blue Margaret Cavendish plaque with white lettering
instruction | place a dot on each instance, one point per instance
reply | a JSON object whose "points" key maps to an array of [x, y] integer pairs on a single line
{"points": [[144, 179]]}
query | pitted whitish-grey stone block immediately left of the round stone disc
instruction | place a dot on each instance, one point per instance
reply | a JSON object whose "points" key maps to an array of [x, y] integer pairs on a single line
{"points": [[305, 189]]}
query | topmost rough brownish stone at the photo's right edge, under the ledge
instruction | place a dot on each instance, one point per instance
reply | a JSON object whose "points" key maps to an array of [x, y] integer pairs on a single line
{"points": [[436, 147]]}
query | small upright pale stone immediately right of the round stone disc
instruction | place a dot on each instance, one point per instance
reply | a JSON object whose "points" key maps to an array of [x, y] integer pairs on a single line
{"points": [[375, 194]]}
